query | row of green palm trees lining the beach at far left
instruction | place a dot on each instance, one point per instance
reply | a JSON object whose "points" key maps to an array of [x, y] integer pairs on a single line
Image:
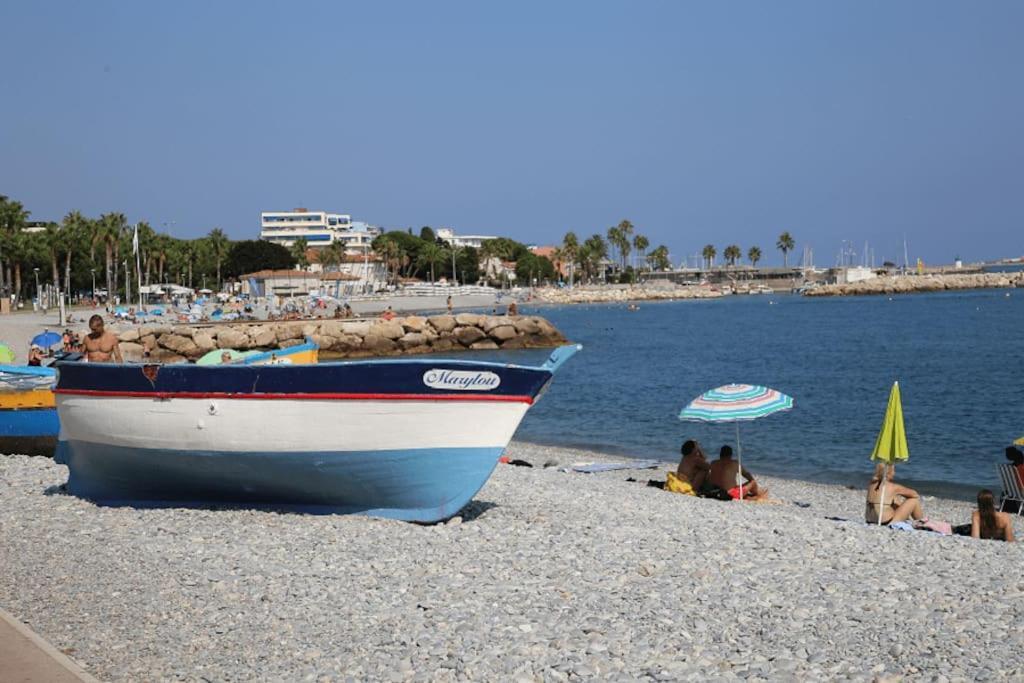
{"points": [[72, 252]]}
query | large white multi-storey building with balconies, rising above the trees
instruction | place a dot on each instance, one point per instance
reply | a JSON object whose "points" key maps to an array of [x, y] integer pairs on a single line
{"points": [[320, 229]]}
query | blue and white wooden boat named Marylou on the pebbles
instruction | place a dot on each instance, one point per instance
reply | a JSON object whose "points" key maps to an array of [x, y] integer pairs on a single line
{"points": [[408, 439]]}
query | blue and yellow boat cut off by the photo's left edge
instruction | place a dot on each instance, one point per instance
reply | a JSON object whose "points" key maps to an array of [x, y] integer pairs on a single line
{"points": [[28, 411]]}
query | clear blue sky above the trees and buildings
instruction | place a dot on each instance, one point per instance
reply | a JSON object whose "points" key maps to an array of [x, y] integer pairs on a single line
{"points": [[722, 122]]}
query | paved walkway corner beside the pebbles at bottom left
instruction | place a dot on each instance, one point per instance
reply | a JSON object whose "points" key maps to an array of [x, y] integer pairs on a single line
{"points": [[25, 658]]}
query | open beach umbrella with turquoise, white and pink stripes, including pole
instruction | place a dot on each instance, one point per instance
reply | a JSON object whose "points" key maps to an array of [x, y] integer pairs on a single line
{"points": [[737, 403]]}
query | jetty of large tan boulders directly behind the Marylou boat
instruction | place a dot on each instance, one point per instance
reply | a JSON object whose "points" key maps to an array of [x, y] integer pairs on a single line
{"points": [[343, 338]]}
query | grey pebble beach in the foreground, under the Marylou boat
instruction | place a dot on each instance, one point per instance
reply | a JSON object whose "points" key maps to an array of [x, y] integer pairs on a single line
{"points": [[546, 576]]}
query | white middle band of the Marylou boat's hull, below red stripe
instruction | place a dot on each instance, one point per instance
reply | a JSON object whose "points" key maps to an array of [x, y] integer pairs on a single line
{"points": [[233, 425]]}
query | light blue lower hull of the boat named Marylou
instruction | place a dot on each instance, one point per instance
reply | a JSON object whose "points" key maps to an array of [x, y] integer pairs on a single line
{"points": [[415, 485]]}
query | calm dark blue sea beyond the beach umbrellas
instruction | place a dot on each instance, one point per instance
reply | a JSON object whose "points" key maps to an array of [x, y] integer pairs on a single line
{"points": [[959, 358]]}
